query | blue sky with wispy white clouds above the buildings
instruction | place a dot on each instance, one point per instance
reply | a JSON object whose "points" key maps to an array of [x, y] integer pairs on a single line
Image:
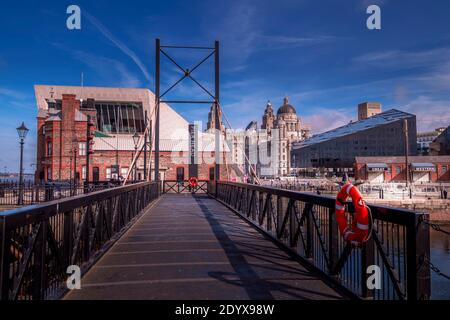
{"points": [[319, 53]]}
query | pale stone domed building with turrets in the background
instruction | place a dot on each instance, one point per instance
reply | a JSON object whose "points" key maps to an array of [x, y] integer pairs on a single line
{"points": [[289, 130]]}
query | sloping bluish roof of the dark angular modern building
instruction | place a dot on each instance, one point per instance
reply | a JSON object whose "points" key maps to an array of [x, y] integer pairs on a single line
{"points": [[380, 119]]}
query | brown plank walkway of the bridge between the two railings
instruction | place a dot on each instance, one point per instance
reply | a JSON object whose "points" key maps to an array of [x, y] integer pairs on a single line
{"points": [[193, 247]]}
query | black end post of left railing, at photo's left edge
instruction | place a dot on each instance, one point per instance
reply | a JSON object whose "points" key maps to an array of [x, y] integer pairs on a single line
{"points": [[4, 260]]}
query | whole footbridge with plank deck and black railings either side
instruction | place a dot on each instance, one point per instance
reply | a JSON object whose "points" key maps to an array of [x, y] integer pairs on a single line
{"points": [[220, 241]]}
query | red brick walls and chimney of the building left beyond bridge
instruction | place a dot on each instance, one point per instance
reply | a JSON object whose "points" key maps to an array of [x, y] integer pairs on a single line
{"points": [[66, 135]]}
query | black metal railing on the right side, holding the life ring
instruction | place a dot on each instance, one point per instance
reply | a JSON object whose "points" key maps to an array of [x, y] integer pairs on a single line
{"points": [[305, 224]]}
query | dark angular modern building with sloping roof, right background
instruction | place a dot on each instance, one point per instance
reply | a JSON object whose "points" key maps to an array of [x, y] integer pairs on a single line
{"points": [[379, 135]]}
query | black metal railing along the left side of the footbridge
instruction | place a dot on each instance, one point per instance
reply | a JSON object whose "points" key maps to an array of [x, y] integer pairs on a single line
{"points": [[38, 243]]}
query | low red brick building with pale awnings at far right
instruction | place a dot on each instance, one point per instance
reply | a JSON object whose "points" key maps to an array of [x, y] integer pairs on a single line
{"points": [[393, 169]]}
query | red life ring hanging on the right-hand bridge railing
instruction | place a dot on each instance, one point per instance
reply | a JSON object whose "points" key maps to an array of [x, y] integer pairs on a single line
{"points": [[358, 232]]}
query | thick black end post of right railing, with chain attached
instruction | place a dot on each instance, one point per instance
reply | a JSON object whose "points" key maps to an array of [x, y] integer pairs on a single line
{"points": [[418, 253]]}
